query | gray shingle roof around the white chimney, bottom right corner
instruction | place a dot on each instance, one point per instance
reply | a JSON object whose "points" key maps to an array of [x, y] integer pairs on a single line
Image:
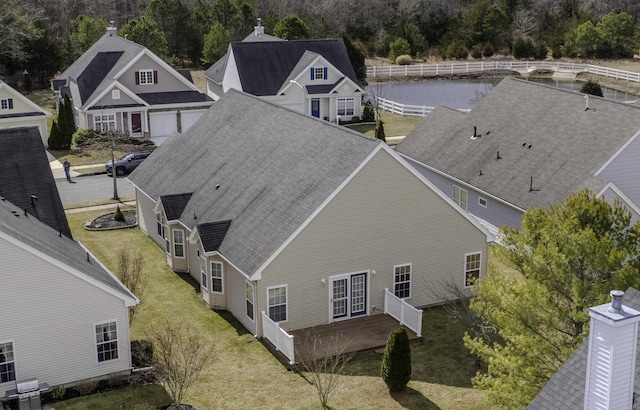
{"points": [[565, 390]]}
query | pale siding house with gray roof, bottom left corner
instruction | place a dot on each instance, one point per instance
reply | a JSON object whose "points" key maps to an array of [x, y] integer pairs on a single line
{"points": [[65, 315]]}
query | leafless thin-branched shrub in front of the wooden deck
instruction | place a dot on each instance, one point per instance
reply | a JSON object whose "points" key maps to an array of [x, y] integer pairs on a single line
{"points": [[326, 362]]}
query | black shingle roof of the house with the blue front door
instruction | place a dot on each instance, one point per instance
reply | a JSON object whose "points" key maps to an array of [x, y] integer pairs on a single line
{"points": [[264, 66]]}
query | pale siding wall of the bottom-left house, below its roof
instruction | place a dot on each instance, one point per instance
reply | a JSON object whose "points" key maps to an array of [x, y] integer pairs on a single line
{"points": [[50, 317]]}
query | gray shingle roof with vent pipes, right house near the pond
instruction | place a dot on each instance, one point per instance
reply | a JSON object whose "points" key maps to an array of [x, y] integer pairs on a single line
{"points": [[544, 137]]}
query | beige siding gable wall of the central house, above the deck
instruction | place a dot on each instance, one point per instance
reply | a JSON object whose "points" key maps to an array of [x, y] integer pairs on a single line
{"points": [[385, 216]]}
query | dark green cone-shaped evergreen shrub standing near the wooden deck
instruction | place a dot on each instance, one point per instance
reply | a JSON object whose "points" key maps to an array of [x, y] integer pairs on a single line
{"points": [[396, 362]]}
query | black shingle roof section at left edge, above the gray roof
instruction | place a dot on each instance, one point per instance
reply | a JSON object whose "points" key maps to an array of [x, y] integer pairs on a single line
{"points": [[25, 172]]}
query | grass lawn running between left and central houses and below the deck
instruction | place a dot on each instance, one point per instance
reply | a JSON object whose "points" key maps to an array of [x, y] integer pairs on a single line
{"points": [[243, 374]]}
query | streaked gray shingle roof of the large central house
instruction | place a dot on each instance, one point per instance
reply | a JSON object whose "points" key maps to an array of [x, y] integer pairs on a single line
{"points": [[274, 168]]}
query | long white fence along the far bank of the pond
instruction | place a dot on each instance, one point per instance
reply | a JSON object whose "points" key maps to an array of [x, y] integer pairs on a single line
{"points": [[424, 70]]}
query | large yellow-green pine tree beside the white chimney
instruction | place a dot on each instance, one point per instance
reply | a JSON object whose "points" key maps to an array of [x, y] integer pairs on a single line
{"points": [[566, 259]]}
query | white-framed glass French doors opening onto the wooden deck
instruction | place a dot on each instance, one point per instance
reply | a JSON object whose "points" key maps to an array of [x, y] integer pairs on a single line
{"points": [[348, 294]]}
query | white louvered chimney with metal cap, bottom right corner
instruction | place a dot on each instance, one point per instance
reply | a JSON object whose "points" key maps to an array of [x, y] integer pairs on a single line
{"points": [[611, 361]]}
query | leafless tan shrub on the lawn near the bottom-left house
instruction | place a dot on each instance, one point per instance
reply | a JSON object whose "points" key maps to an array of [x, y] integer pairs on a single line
{"points": [[179, 356]]}
